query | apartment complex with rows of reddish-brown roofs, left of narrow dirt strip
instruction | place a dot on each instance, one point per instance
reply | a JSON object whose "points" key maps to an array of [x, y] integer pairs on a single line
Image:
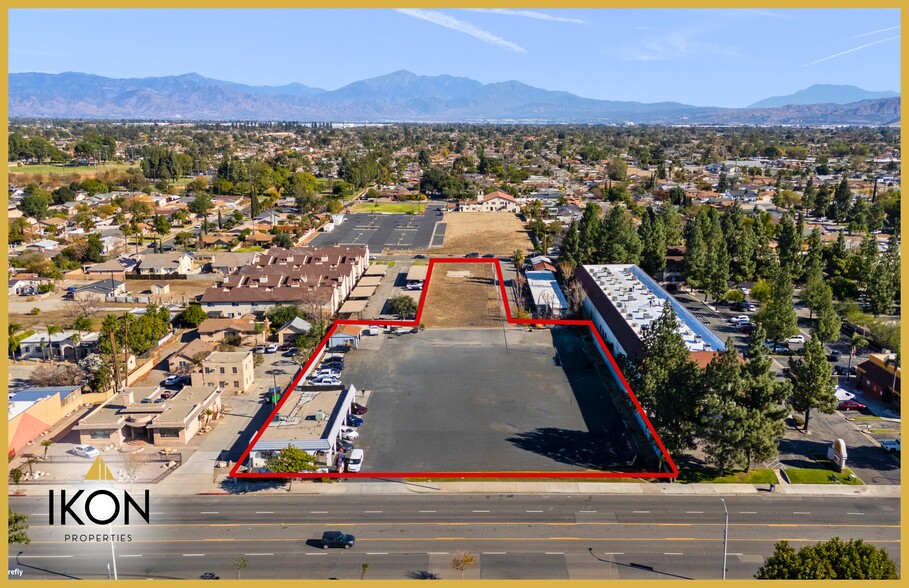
{"points": [[318, 277]]}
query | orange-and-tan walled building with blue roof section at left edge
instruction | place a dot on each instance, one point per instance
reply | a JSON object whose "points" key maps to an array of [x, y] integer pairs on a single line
{"points": [[34, 411]]}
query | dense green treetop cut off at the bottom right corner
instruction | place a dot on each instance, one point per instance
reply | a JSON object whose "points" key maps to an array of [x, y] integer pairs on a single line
{"points": [[831, 560]]}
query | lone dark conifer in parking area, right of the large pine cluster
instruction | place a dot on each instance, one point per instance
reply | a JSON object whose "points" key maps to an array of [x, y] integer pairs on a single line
{"points": [[813, 385]]}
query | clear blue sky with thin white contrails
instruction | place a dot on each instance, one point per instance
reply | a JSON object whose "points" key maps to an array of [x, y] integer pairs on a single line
{"points": [[702, 57]]}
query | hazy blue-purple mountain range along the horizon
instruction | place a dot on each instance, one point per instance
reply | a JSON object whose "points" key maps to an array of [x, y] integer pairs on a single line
{"points": [[400, 96]]}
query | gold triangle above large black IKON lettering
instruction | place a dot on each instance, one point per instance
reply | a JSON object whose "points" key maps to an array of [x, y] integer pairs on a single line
{"points": [[101, 507]]}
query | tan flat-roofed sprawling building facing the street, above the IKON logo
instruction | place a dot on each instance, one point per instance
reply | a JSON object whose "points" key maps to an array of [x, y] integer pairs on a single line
{"points": [[151, 415]]}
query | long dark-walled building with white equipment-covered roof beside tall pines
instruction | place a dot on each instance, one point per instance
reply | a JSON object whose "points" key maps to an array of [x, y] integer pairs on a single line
{"points": [[623, 301]]}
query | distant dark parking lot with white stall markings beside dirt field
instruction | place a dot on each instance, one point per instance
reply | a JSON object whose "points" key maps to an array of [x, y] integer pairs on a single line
{"points": [[387, 231]]}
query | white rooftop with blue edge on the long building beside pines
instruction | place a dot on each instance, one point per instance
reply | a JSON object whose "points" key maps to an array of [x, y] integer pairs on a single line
{"points": [[640, 300]]}
